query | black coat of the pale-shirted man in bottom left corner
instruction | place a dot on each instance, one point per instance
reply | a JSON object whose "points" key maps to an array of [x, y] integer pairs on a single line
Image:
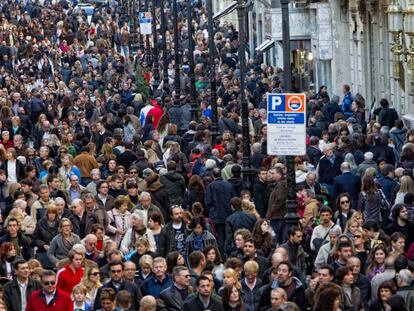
{"points": [[11, 294]]}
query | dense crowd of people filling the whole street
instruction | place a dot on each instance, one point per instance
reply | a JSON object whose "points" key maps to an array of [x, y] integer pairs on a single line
{"points": [[113, 198]]}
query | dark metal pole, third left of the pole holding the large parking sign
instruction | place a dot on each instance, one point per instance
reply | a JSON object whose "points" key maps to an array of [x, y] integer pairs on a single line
{"points": [[194, 110]]}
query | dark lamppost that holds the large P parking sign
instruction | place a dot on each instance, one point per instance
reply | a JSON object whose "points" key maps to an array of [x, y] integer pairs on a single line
{"points": [[291, 217]]}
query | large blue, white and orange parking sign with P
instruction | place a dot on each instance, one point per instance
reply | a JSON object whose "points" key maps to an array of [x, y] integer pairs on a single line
{"points": [[286, 124]]}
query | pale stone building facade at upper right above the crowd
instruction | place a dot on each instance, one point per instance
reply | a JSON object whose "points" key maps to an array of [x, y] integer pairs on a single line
{"points": [[336, 42]]}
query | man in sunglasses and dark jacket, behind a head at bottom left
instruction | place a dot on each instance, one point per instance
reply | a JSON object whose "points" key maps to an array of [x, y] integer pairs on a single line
{"points": [[118, 283]]}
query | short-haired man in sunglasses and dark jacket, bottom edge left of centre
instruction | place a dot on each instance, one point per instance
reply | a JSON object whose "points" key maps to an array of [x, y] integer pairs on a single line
{"points": [[174, 296]]}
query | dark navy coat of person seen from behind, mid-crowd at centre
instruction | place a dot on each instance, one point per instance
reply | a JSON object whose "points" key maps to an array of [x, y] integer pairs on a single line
{"points": [[217, 200]]}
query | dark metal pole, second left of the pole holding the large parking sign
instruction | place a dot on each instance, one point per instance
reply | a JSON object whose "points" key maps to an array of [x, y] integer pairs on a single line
{"points": [[211, 50]]}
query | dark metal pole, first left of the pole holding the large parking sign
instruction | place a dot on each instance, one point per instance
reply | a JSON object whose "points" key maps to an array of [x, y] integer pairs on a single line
{"points": [[246, 169]]}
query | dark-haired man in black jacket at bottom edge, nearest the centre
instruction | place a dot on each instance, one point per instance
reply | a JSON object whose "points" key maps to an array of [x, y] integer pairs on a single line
{"points": [[204, 300]]}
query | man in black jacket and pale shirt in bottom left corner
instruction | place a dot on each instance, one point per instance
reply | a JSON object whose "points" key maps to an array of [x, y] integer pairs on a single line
{"points": [[12, 293]]}
